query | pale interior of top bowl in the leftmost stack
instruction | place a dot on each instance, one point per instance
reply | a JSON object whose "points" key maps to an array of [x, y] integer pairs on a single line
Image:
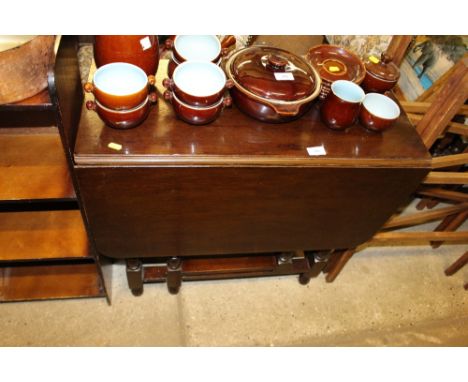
{"points": [[120, 78]]}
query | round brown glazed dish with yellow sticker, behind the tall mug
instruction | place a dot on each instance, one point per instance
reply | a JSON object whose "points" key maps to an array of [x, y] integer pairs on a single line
{"points": [[335, 63]]}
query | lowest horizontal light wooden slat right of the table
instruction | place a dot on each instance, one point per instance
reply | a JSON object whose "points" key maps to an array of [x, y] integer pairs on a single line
{"points": [[416, 238]]}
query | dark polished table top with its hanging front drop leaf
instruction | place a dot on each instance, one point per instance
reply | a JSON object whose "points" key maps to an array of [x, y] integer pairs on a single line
{"points": [[239, 185]]}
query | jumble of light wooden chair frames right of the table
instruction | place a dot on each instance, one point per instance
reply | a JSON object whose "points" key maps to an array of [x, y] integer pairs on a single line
{"points": [[432, 115]]}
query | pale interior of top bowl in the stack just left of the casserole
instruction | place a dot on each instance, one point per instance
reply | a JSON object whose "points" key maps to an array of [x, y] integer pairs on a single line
{"points": [[199, 78]]}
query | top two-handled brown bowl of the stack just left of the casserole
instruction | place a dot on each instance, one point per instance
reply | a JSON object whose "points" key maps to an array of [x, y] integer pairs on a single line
{"points": [[198, 83]]}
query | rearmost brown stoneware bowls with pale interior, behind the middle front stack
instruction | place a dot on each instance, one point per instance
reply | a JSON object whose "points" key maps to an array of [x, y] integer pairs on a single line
{"points": [[193, 48]]}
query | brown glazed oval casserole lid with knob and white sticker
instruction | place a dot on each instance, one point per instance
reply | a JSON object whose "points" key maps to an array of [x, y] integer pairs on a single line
{"points": [[272, 73]]}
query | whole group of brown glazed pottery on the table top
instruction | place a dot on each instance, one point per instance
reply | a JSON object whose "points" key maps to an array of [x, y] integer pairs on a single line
{"points": [[266, 83]]}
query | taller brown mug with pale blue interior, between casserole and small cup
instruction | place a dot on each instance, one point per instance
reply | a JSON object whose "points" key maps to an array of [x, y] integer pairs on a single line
{"points": [[342, 105]]}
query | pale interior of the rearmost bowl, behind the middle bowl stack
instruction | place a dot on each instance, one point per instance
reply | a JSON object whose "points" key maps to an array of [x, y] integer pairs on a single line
{"points": [[198, 47]]}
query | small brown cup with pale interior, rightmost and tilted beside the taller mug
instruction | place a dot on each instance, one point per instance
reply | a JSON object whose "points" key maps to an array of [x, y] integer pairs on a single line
{"points": [[378, 112]]}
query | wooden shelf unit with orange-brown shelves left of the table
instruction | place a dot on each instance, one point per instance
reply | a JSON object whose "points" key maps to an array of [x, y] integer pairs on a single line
{"points": [[45, 250]]}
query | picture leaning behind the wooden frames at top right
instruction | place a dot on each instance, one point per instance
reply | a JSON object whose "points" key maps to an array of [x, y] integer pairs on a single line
{"points": [[426, 60]]}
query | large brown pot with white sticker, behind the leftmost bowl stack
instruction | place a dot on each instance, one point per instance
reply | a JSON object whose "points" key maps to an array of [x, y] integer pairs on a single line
{"points": [[141, 50]]}
